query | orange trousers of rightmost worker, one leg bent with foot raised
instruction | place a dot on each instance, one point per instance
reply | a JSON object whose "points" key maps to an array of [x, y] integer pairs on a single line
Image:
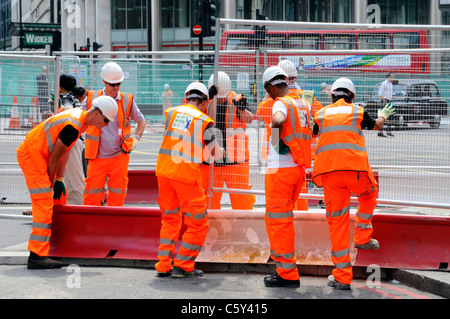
{"points": [[337, 188]]}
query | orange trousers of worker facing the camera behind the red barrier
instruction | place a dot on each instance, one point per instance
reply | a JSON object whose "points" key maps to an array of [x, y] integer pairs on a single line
{"points": [[114, 169]]}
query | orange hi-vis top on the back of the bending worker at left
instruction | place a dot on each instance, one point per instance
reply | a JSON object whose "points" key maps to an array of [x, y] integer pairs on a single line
{"points": [[41, 140]]}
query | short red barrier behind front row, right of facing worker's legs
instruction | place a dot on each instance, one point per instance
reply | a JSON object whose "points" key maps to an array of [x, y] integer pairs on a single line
{"points": [[142, 187]]}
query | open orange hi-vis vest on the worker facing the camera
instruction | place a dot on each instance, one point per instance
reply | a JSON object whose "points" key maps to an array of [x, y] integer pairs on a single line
{"points": [[92, 139]]}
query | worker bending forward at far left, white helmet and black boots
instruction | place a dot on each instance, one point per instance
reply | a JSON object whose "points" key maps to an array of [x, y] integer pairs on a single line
{"points": [[42, 157]]}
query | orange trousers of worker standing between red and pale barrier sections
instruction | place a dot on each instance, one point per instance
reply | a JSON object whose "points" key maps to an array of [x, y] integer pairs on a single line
{"points": [[178, 201]]}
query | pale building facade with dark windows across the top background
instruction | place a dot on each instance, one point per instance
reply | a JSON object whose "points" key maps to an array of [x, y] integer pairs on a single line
{"points": [[159, 25]]}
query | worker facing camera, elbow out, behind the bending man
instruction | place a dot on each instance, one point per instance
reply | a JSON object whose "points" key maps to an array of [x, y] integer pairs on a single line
{"points": [[107, 151]]}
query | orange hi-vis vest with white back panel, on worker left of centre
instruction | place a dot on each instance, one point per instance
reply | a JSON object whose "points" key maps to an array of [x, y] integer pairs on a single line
{"points": [[182, 148]]}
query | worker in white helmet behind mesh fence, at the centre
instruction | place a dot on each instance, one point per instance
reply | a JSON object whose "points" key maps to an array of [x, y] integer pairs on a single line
{"points": [[232, 117]]}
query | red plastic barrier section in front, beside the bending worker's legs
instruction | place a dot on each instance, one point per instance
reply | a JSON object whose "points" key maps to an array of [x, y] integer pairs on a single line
{"points": [[105, 232]]}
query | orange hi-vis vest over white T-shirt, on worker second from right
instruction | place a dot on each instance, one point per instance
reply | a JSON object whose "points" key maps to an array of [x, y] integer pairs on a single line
{"points": [[296, 132]]}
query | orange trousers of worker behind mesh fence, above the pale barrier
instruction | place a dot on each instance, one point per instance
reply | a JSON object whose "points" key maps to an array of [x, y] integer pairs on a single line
{"points": [[234, 176]]}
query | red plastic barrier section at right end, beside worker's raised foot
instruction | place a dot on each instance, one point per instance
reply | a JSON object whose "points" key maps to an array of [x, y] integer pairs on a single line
{"points": [[409, 242]]}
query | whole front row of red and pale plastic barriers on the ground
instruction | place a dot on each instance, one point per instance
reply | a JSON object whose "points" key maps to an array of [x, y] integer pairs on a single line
{"points": [[406, 241]]}
